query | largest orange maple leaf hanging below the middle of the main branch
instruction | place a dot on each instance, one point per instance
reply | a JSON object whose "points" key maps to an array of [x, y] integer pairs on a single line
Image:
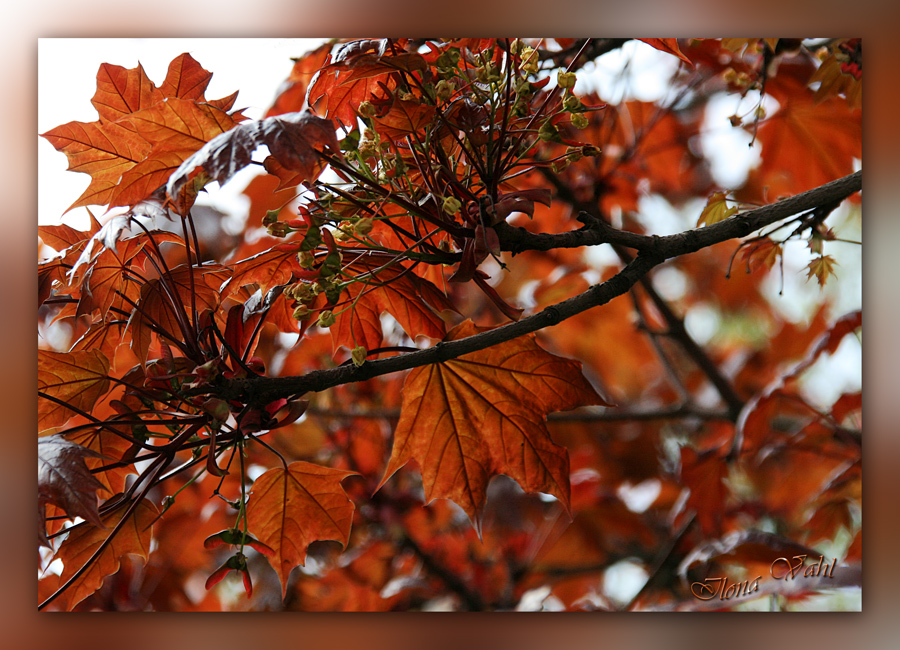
{"points": [[482, 414]]}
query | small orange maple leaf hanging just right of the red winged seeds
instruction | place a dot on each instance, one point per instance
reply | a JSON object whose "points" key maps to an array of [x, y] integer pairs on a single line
{"points": [[289, 508]]}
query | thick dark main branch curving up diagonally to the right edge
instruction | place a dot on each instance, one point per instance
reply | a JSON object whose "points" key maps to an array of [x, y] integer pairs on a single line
{"points": [[653, 250]]}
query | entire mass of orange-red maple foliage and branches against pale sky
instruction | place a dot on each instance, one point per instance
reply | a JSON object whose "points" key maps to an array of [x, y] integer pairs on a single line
{"points": [[218, 405]]}
